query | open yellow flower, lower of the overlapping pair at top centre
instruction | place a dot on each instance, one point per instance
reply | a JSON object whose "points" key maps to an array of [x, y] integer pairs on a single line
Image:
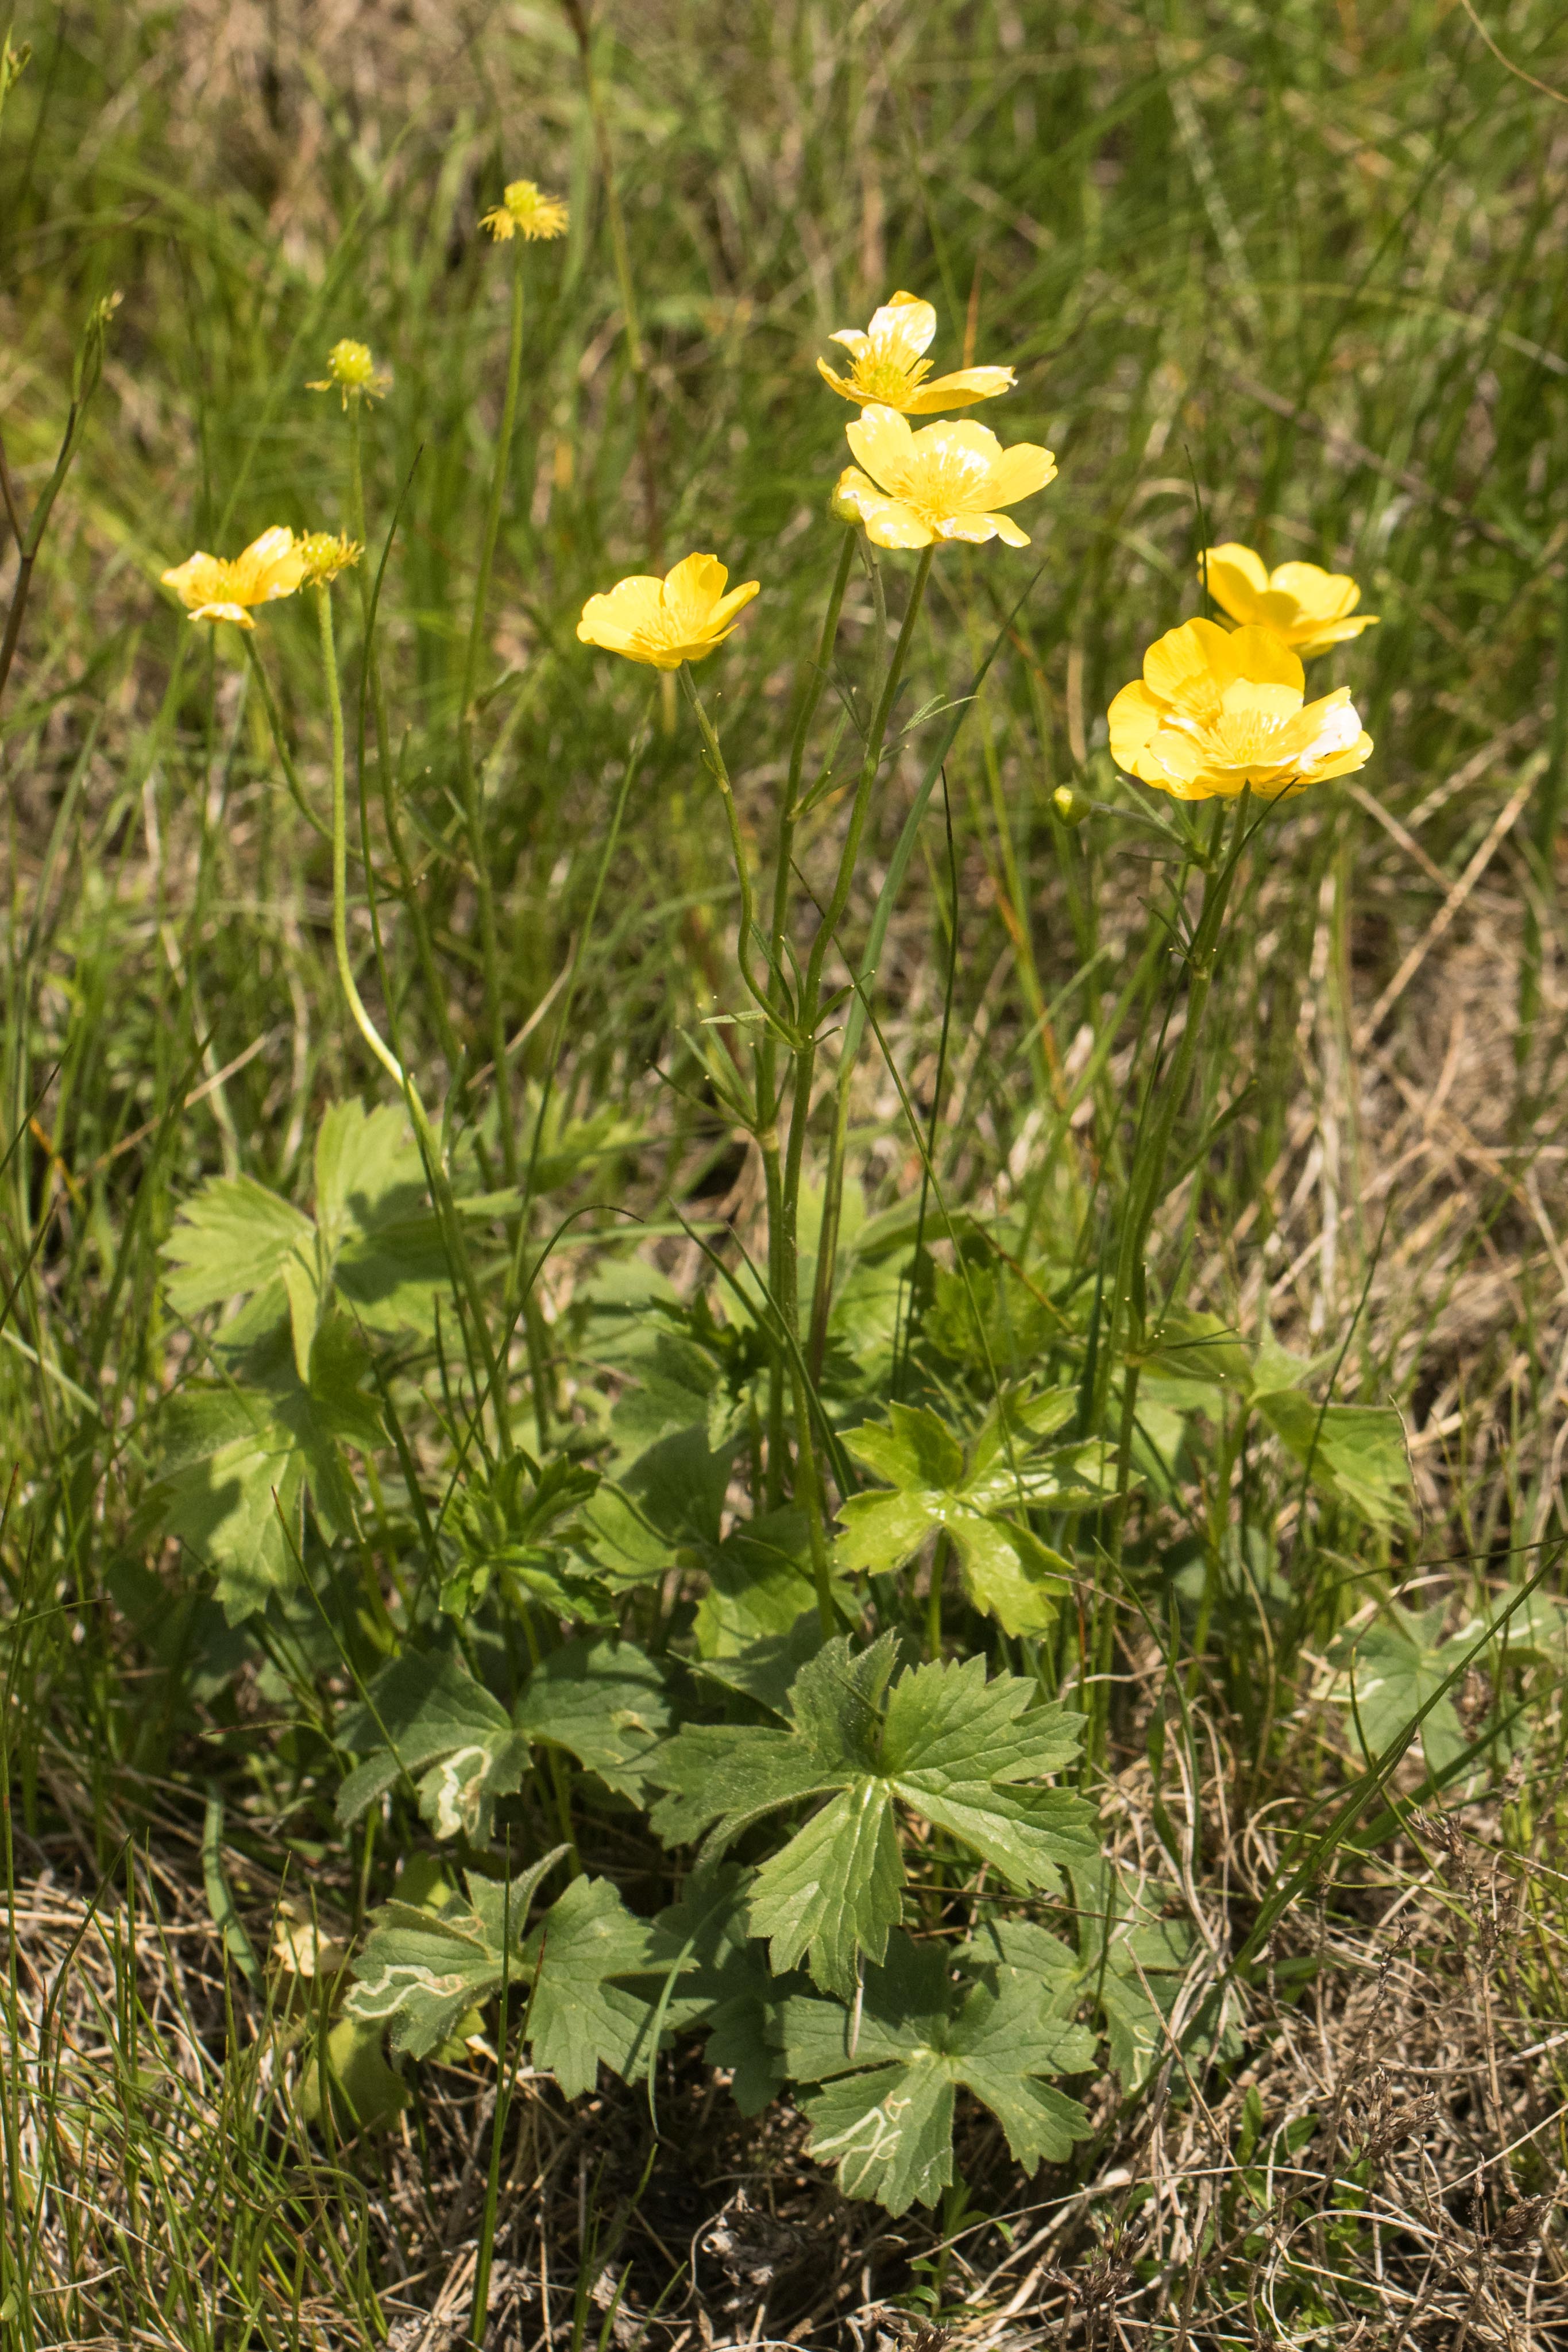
{"points": [[944, 483]]}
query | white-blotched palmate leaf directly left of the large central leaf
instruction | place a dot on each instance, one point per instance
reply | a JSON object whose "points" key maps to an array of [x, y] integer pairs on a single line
{"points": [[429, 1718]]}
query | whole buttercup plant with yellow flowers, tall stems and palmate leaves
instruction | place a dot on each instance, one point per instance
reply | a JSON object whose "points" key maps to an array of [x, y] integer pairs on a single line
{"points": [[810, 1593]]}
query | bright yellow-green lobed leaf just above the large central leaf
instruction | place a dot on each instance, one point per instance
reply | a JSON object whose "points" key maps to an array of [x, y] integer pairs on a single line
{"points": [[979, 1499]]}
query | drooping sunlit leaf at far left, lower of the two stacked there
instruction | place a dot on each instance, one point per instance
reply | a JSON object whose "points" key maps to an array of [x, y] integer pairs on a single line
{"points": [[243, 1457]]}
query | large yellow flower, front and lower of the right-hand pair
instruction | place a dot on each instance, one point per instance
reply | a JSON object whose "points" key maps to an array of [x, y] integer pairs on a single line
{"points": [[1219, 711]]}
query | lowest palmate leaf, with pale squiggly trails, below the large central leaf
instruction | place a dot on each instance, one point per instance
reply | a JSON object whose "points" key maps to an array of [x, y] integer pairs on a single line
{"points": [[892, 2064]]}
